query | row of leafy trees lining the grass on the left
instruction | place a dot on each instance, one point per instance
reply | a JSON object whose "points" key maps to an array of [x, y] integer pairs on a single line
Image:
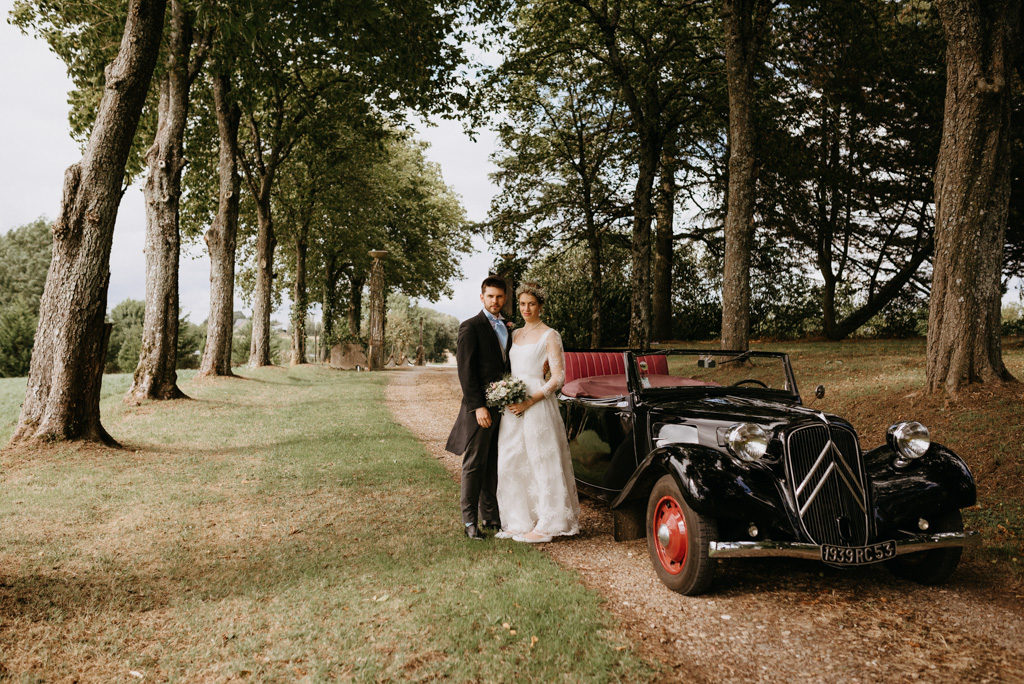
{"points": [[260, 126]]}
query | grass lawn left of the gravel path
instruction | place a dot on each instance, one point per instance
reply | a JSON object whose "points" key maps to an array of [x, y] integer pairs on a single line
{"points": [[280, 528]]}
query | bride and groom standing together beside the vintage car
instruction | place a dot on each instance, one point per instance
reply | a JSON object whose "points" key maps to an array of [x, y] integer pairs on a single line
{"points": [[517, 474]]}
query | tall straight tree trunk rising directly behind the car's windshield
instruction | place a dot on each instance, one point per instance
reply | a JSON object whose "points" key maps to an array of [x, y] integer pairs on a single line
{"points": [[738, 22]]}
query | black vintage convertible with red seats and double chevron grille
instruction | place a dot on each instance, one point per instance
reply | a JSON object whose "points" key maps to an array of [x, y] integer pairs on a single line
{"points": [[713, 455]]}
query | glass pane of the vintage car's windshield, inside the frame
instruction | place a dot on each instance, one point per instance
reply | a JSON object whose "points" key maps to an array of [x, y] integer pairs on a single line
{"points": [[752, 370]]}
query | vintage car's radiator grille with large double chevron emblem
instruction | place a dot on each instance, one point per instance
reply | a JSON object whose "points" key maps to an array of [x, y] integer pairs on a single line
{"points": [[827, 481]]}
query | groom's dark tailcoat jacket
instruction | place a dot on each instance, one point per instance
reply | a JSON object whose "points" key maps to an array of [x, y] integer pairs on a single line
{"points": [[481, 362]]}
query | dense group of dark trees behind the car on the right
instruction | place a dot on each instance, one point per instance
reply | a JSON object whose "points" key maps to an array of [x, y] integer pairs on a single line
{"points": [[840, 132]]}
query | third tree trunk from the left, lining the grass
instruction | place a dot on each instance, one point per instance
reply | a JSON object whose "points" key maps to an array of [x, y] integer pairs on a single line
{"points": [[222, 238]]}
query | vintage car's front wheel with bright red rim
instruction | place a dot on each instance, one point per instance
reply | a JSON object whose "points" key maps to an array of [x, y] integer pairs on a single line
{"points": [[677, 540]]}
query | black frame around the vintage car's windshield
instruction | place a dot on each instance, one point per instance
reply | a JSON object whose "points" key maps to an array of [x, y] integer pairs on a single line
{"points": [[637, 391]]}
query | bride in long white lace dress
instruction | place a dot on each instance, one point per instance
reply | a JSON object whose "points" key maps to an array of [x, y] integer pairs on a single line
{"points": [[537, 496]]}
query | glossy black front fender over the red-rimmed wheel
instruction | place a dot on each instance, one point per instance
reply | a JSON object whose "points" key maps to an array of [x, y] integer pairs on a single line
{"points": [[711, 483]]}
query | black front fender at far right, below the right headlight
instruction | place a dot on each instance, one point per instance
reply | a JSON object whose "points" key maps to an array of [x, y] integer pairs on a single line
{"points": [[937, 483]]}
